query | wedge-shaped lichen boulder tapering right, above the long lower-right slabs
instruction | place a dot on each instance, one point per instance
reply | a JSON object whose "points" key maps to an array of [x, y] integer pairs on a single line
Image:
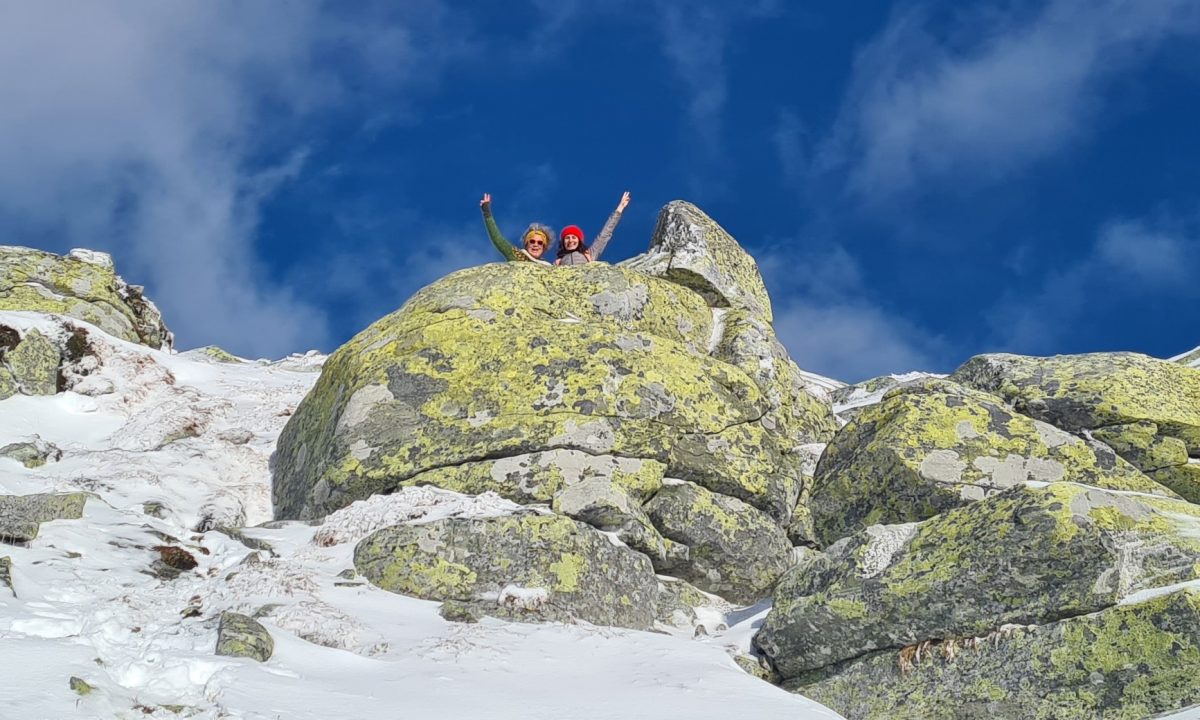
{"points": [[934, 446]]}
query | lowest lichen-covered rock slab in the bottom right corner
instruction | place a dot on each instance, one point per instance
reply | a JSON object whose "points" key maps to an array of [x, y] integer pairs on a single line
{"points": [[1126, 663]]}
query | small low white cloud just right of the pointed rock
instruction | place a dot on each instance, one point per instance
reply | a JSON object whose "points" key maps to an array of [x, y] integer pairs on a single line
{"points": [[826, 319]]}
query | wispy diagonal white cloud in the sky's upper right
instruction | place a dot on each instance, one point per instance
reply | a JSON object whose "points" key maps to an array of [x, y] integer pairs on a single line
{"points": [[997, 94]]}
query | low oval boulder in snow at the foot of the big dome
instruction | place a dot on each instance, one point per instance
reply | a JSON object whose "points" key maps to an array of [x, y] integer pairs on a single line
{"points": [[524, 567]]}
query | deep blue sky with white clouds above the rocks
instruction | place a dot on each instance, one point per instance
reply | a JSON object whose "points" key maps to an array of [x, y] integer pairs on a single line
{"points": [[921, 182]]}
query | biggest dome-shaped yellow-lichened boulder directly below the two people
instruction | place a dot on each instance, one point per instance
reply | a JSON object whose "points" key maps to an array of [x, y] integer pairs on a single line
{"points": [[511, 359]]}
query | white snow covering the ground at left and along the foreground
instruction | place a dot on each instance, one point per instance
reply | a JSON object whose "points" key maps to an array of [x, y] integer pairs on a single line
{"points": [[177, 446]]}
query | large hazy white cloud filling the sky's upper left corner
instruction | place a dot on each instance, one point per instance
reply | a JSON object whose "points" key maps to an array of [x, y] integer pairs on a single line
{"points": [[140, 127]]}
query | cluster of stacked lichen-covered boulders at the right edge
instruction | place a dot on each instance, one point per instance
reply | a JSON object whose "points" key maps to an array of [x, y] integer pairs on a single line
{"points": [[1018, 541]]}
